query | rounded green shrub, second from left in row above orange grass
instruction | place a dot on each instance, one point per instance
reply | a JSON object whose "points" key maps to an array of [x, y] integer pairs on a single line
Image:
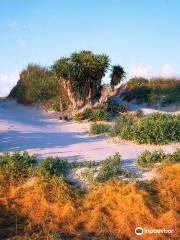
{"points": [[52, 167]]}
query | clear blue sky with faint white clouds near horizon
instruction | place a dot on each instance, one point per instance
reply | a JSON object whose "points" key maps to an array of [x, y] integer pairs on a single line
{"points": [[143, 36]]}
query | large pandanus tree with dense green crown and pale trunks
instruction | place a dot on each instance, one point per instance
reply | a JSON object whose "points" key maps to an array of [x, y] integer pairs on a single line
{"points": [[80, 75]]}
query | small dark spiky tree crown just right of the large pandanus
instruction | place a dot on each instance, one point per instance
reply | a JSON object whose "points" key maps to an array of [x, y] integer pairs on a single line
{"points": [[117, 75]]}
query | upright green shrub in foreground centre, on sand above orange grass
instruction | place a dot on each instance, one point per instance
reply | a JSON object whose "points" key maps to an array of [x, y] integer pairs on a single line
{"points": [[109, 168]]}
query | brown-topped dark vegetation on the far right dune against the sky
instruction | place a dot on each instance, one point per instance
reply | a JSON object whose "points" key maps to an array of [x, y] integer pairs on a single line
{"points": [[157, 90]]}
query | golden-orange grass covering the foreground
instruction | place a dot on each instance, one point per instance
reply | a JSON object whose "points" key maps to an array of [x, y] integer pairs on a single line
{"points": [[113, 209]]}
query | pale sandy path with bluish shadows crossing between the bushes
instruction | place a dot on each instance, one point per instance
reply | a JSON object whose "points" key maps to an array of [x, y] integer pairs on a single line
{"points": [[29, 129]]}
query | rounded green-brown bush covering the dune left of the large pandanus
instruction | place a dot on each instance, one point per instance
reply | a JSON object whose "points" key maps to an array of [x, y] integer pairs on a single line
{"points": [[36, 84]]}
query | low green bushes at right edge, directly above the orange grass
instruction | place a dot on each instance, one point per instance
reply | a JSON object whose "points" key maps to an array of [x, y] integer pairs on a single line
{"points": [[148, 159]]}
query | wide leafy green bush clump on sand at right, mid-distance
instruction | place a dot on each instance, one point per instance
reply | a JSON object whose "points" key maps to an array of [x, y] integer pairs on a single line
{"points": [[156, 128]]}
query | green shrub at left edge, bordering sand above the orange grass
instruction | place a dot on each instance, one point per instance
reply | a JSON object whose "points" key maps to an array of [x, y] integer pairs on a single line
{"points": [[16, 167]]}
